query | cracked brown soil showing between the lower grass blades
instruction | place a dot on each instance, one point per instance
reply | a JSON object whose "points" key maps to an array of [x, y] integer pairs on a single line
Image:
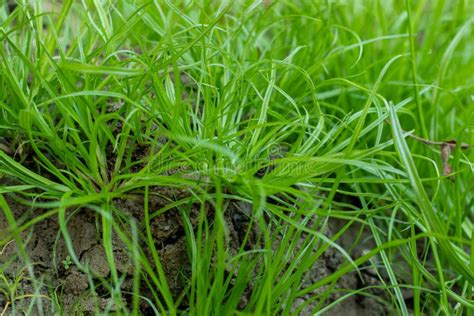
{"points": [[47, 249]]}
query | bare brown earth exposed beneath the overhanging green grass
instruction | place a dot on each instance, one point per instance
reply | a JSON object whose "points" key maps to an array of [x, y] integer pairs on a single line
{"points": [[47, 249]]}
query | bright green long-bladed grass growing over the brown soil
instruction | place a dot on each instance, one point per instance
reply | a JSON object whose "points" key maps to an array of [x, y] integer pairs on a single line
{"points": [[321, 95]]}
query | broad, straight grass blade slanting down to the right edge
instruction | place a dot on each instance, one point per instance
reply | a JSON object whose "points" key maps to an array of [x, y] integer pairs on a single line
{"points": [[428, 211]]}
